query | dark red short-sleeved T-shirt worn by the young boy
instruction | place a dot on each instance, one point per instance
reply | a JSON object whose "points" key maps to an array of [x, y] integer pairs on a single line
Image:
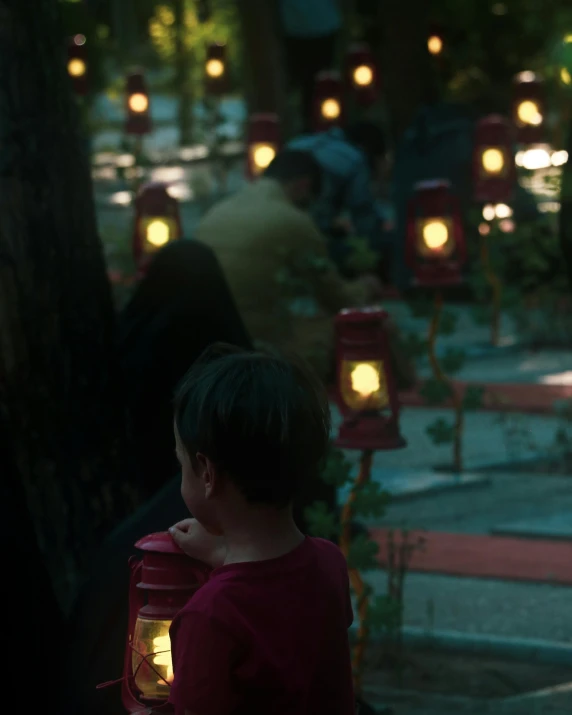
{"points": [[267, 637]]}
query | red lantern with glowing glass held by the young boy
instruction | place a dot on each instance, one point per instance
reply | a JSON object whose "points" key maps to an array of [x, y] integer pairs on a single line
{"points": [[161, 584]]}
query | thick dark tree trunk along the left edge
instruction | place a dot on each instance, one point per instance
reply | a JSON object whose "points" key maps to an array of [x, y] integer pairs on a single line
{"points": [[59, 396]]}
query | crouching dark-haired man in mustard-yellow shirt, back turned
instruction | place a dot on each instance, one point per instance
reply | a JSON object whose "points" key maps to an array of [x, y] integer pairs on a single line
{"points": [[277, 264]]}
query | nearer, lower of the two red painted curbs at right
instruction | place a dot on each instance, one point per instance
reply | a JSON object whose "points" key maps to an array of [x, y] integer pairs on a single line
{"points": [[484, 556]]}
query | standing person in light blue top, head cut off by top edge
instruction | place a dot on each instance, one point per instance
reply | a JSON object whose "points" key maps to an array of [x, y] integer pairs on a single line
{"points": [[311, 31]]}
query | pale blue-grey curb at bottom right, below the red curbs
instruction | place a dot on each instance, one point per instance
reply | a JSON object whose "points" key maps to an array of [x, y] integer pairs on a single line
{"points": [[518, 649]]}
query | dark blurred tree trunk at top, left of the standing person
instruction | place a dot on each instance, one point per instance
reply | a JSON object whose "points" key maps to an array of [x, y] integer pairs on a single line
{"points": [[263, 56]]}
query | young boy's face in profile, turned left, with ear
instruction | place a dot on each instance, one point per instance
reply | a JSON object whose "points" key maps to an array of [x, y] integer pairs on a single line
{"points": [[197, 488]]}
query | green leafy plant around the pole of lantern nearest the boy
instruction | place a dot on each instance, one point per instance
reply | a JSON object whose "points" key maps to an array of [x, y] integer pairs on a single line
{"points": [[383, 613]]}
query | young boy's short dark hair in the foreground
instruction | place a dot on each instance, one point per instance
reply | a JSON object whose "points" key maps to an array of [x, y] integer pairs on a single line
{"points": [[263, 419]]}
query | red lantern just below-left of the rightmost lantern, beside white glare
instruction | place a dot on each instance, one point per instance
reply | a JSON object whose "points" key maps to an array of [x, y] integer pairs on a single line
{"points": [[494, 172]]}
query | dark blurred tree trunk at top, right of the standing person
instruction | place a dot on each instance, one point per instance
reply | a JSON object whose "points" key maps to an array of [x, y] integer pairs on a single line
{"points": [[407, 78]]}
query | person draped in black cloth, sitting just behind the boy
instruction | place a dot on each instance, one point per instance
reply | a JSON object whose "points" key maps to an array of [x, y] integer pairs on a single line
{"points": [[181, 306]]}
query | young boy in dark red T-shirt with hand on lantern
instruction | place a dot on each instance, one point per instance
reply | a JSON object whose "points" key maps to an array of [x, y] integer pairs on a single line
{"points": [[267, 634]]}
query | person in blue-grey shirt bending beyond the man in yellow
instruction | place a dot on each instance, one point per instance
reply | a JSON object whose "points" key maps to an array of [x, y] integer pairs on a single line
{"points": [[354, 165]]}
